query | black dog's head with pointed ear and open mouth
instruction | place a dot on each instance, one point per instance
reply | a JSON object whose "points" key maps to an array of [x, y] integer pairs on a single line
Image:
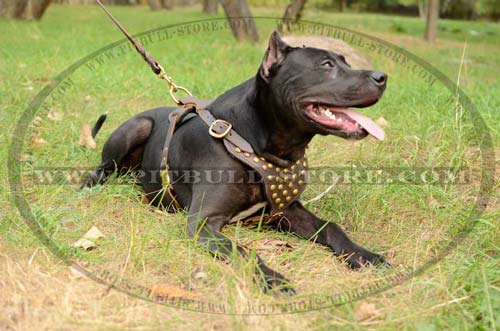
{"points": [[315, 88]]}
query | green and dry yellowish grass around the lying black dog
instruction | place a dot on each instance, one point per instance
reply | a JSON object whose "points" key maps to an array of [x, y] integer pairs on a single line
{"points": [[405, 223]]}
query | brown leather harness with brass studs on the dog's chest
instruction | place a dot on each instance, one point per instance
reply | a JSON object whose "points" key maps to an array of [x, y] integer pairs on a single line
{"points": [[282, 185]]}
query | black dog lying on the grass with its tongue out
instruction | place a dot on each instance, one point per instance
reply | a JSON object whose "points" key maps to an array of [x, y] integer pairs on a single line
{"points": [[297, 93]]}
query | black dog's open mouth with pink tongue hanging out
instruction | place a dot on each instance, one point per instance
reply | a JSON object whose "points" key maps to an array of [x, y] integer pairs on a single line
{"points": [[343, 119]]}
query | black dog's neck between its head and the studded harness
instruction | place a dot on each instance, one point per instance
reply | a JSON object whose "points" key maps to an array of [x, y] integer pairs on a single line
{"points": [[254, 116]]}
